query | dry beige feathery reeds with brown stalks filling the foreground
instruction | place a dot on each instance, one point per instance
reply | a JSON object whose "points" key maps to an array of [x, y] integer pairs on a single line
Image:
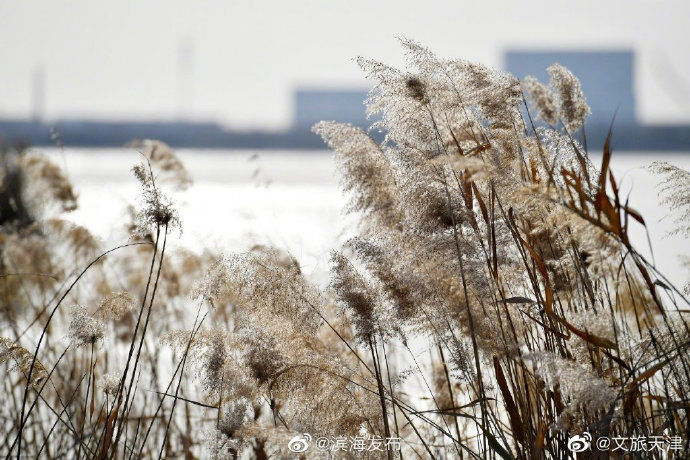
{"points": [[491, 305]]}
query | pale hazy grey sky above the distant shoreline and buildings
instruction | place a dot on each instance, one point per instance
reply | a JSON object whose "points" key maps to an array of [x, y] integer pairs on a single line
{"points": [[120, 59]]}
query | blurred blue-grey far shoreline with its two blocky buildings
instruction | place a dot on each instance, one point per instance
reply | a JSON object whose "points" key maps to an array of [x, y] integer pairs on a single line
{"points": [[607, 79]]}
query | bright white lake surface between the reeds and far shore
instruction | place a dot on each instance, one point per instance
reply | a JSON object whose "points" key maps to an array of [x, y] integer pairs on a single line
{"points": [[291, 199]]}
